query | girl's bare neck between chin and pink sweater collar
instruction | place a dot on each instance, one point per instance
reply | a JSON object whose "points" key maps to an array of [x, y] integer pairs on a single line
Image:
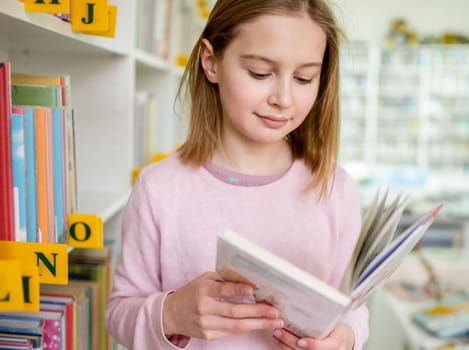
{"points": [[265, 161]]}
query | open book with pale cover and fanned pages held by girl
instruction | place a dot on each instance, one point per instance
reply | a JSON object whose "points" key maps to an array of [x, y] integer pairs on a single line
{"points": [[309, 305]]}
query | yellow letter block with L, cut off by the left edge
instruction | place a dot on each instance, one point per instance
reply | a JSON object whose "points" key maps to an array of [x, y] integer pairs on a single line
{"points": [[11, 287]]}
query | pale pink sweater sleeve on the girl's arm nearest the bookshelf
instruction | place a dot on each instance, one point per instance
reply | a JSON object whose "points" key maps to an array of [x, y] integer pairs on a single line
{"points": [[134, 308]]}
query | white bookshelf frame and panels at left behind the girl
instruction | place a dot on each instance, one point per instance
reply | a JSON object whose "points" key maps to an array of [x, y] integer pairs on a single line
{"points": [[105, 75]]}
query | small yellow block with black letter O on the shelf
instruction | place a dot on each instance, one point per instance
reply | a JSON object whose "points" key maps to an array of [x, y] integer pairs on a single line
{"points": [[85, 231]]}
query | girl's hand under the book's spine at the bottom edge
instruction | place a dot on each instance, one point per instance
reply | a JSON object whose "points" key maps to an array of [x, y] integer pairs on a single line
{"points": [[341, 338]]}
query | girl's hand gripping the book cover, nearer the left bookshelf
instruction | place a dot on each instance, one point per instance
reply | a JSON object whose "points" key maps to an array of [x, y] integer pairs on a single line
{"points": [[199, 309]]}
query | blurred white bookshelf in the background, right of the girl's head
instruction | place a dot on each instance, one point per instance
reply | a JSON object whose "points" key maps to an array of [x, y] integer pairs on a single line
{"points": [[406, 107]]}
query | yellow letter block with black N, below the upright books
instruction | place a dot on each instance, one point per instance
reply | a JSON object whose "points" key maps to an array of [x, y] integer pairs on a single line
{"points": [[50, 258]]}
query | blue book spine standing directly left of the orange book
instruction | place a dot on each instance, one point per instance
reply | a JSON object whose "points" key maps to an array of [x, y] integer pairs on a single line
{"points": [[31, 189]]}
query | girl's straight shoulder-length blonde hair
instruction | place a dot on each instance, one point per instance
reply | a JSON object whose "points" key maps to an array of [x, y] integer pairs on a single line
{"points": [[316, 140]]}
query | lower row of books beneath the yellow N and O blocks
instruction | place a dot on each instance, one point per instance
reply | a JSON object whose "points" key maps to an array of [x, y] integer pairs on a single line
{"points": [[70, 316]]}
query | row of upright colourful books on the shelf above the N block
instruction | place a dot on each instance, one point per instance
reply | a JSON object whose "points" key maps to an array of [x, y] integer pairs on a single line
{"points": [[38, 162]]}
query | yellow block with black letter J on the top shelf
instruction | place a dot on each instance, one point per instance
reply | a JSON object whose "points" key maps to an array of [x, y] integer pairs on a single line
{"points": [[90, 15]]}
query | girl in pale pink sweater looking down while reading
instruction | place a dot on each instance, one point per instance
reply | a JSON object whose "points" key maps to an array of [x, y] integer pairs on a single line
{"points": [[260, 158]]}
